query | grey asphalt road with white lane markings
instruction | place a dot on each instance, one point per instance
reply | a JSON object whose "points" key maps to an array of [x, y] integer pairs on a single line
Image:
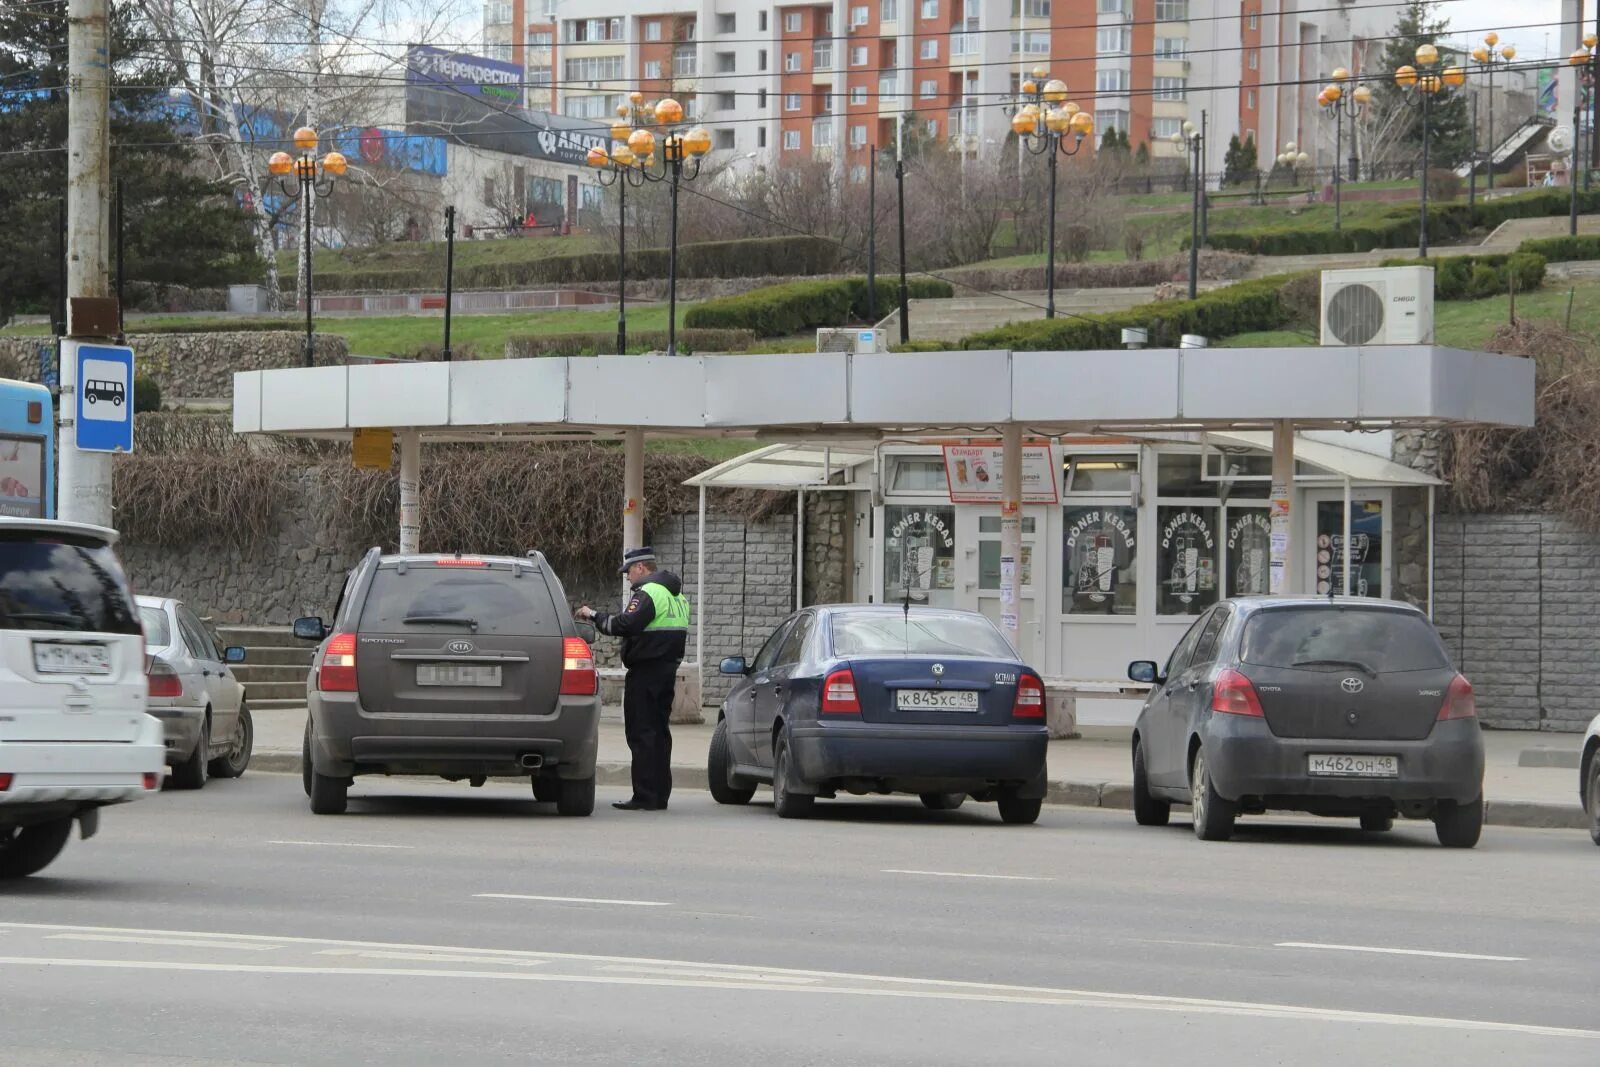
{"points": [[438, 924]]}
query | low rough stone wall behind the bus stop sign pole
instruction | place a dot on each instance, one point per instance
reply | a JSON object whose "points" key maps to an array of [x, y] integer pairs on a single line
{"points": [[194, 366]]}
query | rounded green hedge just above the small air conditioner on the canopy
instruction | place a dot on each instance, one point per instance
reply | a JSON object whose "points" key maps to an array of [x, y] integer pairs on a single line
{"points": [[782, 311]]}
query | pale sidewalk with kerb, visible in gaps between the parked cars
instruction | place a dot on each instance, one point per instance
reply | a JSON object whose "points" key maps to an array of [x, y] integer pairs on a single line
{"points": [[1530, 780]]}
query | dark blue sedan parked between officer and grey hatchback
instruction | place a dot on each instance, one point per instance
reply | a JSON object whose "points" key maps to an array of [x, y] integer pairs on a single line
{"points": [[884, 700]]}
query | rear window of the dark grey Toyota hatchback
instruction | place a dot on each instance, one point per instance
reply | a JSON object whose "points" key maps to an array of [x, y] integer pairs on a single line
{"points": [[1334, 639]]}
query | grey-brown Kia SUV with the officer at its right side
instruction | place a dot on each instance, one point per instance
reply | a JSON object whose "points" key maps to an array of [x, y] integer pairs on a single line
{"points": [[468, 668]]}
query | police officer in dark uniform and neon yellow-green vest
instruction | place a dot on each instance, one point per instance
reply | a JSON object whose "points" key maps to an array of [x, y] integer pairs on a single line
{"points": [[655, 631]]}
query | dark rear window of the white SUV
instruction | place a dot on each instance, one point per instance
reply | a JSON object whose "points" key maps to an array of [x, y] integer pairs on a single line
{"points": [[63, 585]]}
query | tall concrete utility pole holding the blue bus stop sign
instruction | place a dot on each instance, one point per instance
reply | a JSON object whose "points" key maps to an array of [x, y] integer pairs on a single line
{"points": [[86, 478]]}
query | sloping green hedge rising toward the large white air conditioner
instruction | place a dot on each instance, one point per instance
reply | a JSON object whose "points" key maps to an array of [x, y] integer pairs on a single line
{"points": [[1242, 308]]}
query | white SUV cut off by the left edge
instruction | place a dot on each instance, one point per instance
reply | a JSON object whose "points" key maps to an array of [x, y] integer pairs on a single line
{"points": [[74, 735]]}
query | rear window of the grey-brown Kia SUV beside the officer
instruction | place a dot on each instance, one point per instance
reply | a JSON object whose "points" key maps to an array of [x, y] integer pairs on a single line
{"points": [[460, 601]]}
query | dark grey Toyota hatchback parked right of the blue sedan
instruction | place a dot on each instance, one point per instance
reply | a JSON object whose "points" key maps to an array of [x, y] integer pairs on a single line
{"points": [[1332, 706]]}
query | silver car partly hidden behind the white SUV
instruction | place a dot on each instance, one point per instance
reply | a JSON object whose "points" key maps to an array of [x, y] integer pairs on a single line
{"points": [[194, 693]]}
